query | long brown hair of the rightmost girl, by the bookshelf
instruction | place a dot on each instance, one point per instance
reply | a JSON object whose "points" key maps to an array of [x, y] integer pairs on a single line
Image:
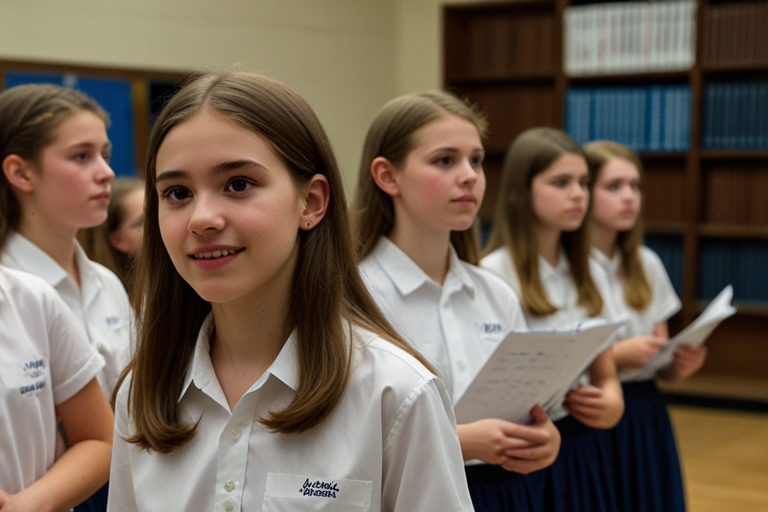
{"points": [[637, 289]]}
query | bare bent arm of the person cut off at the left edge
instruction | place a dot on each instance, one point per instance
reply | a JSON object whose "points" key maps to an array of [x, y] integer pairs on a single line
{"points": [[83, 468]]}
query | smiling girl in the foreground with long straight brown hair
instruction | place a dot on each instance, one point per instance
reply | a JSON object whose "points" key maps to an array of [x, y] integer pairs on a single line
{"points": [[265, 377]]}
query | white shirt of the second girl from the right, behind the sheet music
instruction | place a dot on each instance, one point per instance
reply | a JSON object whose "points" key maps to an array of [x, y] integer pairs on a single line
{"points": [[561, 292]]}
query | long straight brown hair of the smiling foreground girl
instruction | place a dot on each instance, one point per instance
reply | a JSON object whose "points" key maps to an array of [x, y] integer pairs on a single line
{"points": [[326, 288]]}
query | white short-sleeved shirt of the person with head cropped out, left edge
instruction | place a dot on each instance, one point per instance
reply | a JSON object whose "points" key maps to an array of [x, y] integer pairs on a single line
{"points": [[45, 359]]}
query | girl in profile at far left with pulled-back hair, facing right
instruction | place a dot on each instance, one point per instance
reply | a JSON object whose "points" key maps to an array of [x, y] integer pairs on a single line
{"points": [[56, 180]]}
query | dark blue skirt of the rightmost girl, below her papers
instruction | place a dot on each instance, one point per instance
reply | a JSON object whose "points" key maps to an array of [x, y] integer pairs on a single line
{"points": [[649, 476]]}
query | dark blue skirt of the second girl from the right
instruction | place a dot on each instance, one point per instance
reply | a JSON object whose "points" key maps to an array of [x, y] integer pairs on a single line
{"points": [[582, 479]]}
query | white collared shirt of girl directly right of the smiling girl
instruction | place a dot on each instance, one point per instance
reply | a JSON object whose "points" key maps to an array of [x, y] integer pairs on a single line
{"points": [[456, 326]]}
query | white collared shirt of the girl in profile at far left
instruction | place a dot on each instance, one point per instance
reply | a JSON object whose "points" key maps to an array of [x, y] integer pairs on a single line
{"points": [[100, 304]]}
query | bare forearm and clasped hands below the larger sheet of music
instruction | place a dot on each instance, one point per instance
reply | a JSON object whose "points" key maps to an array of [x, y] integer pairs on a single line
{"points": [[519, 448]]}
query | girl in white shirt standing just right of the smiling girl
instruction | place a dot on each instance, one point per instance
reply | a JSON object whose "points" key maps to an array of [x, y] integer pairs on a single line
{"points": [[420, 185]]}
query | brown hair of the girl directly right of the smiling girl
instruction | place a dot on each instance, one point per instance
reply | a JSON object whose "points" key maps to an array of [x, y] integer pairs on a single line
{"points": [[392, 136]]}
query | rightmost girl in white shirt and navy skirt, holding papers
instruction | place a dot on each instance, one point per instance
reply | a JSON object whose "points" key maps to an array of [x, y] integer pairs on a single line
{"points": [[649, 475]]}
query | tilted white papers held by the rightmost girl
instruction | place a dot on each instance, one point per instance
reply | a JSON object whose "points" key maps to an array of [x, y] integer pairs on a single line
{"points": [[695, 334]]}
